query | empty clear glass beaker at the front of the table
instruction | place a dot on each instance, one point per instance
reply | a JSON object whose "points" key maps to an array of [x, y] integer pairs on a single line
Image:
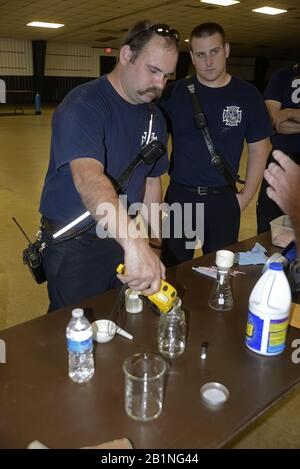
{"points": [[144, 385]]}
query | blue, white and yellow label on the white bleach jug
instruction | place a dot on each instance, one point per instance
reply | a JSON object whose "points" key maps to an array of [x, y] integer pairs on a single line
{"points": [[266, 336]]}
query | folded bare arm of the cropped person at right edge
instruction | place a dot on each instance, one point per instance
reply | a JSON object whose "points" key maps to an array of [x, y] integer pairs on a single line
{"points": [[285, 121]]}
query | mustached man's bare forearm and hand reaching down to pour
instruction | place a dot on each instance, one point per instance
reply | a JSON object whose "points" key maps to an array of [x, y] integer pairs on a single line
{"points": [[143, 268]]}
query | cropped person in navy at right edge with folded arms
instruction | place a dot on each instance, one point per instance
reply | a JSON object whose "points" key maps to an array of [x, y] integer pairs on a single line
{"points": [[282, 97]]}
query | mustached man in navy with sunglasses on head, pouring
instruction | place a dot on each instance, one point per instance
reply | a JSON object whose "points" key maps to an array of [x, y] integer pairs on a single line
{"points": [[97, 131]]}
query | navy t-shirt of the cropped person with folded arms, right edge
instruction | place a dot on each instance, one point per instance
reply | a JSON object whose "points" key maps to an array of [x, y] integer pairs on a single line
{"points": [[284, 87]]}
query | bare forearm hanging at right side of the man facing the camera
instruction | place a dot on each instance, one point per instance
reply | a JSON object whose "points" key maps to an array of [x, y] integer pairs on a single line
{"points": [[257, 158]]}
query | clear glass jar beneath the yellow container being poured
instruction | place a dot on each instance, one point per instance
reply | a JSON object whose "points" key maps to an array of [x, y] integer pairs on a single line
{"points": [[172, 331]]}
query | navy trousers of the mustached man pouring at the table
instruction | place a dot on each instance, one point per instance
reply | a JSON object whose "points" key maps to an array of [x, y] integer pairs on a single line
{"points": [[80, 268]]}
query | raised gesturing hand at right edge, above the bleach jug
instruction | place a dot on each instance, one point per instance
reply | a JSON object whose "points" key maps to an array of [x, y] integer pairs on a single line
{"points": [[284, 180]]}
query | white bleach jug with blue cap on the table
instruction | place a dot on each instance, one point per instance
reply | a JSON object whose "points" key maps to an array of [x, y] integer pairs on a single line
{"points": [[269, 308]]}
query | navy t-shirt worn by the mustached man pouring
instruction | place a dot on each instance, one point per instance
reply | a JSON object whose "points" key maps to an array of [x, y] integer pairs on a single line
{"points": [[94, 121]]}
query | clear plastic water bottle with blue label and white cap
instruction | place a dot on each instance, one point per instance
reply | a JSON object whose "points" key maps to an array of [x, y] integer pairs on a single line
{"points": [[80, 347]]}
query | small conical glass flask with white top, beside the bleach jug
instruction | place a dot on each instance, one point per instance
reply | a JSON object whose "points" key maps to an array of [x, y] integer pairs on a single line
{"points": [[221, 298]]}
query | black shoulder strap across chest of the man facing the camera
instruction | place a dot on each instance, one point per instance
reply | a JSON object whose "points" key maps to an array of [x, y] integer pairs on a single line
{"points": [[200, 122]]}
